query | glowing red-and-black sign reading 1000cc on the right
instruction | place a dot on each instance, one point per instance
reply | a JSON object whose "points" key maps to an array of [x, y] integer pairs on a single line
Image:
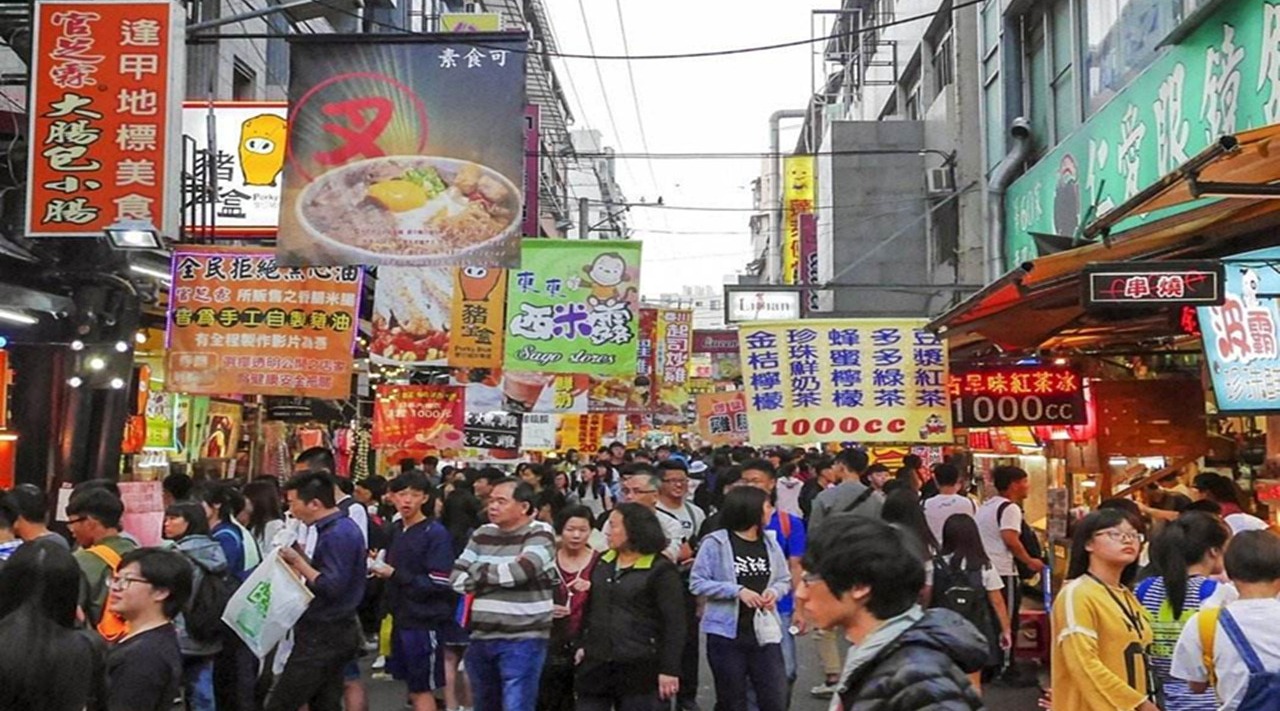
{"points": [[1017, 395]]}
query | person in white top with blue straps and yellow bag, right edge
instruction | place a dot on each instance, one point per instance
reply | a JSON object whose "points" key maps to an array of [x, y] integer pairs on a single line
{"points": [[1237, 648]]}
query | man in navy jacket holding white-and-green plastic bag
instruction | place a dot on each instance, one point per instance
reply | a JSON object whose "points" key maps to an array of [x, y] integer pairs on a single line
{"points": [[327, 637]]}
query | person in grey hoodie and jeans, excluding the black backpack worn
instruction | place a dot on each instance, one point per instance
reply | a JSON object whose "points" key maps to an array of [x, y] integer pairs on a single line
{"points": [[186, 527]]}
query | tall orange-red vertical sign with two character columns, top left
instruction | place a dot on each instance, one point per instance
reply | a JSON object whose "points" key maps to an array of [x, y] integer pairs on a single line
{"points": [[106, 104]]}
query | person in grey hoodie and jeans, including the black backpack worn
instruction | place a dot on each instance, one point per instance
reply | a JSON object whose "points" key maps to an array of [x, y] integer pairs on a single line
{"points": [[188, 528]]}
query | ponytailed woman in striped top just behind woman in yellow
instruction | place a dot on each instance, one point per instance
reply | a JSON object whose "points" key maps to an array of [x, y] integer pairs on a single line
{"points": [[1185, 558]]}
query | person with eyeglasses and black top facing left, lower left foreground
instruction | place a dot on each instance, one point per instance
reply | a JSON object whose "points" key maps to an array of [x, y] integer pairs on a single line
{"points": [[144, 671]]}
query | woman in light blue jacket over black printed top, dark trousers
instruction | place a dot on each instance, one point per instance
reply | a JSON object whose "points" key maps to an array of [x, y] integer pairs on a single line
{"points": [[743, 573]]}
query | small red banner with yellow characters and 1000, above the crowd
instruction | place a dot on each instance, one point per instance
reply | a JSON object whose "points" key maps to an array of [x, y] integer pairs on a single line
{"points": [[419, 417]]}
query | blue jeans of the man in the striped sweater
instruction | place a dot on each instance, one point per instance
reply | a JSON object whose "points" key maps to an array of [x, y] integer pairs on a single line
{"points": [[505, 673]]}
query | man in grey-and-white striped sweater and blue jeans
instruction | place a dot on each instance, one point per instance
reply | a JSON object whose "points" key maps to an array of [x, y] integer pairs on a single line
{"points": [[510, 569]]}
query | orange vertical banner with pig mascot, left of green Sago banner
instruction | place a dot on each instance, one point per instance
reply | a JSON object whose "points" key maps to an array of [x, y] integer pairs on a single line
{"points": [[479, 304]]}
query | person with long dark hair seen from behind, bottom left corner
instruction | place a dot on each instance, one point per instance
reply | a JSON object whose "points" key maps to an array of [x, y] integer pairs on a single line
{"points": [[45, 663]]}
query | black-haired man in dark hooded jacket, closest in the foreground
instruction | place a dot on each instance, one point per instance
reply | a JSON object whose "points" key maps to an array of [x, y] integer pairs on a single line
{"points": [[863, 577]]}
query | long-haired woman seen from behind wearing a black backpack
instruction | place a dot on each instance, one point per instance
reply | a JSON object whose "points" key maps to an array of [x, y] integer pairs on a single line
{"points": [[966, 584]]}
